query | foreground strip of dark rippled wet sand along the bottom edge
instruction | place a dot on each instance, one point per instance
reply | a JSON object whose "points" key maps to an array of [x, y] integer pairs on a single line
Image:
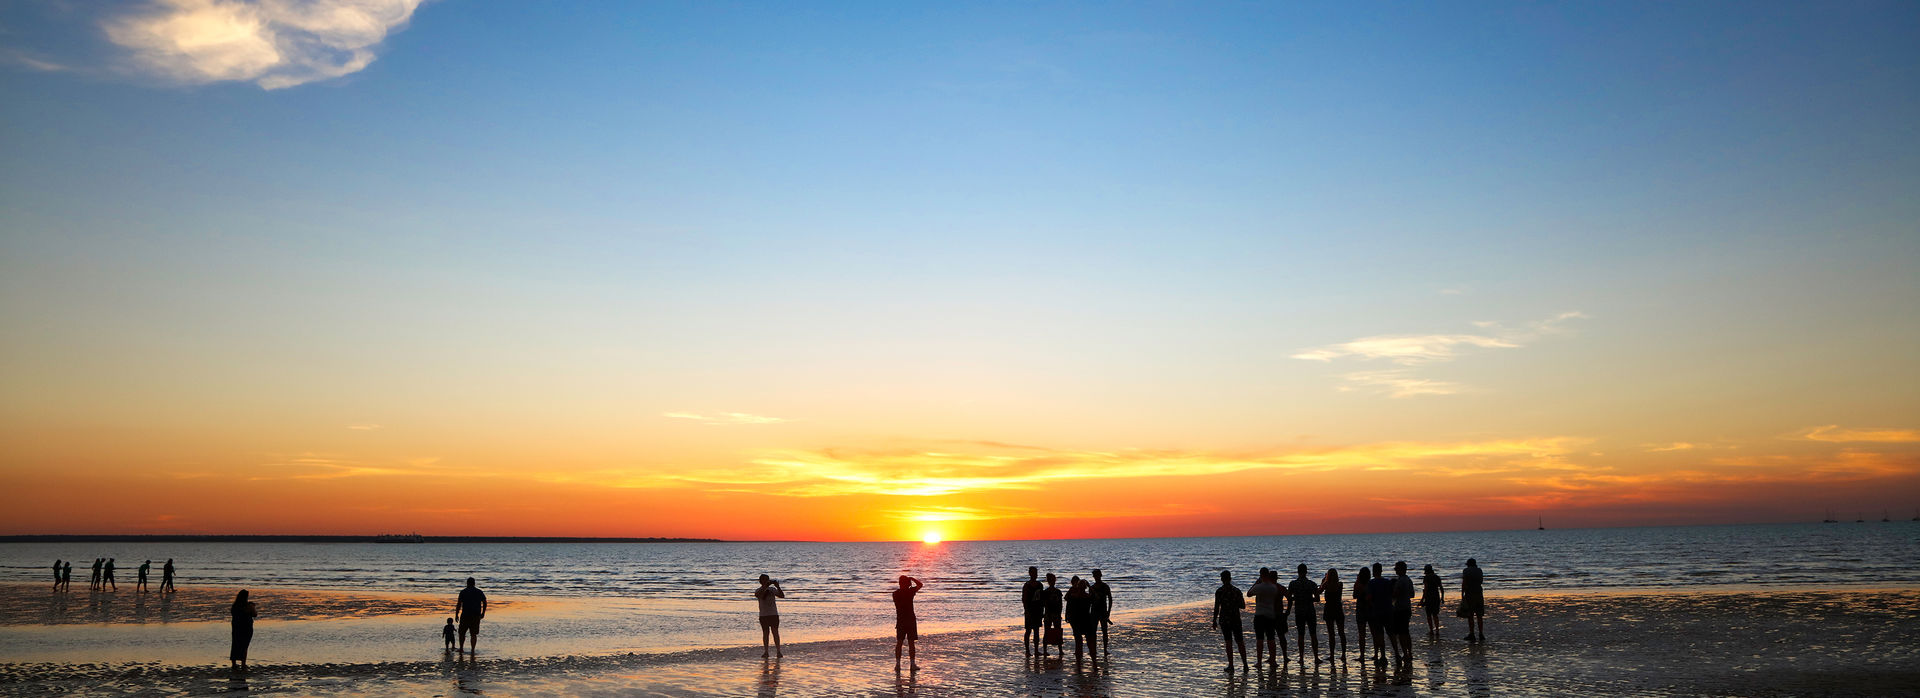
{"points": [[1758, 643]]}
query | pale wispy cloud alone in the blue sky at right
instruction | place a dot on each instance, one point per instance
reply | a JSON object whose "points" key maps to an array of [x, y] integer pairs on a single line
{"points": [[1416, 350]]}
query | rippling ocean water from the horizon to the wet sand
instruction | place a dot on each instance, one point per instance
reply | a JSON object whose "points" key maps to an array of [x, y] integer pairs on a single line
{"points": [[648, 597]]}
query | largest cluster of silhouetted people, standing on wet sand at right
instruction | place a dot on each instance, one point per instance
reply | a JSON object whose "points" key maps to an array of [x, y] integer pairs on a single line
{"points": [[1381, 605]]}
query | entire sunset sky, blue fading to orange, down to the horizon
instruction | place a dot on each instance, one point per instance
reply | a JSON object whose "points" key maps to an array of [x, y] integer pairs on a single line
{"points": [[861, 271]]}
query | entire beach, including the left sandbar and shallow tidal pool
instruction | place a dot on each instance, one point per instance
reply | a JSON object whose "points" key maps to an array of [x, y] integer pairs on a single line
{"points": [[1727, 641]]}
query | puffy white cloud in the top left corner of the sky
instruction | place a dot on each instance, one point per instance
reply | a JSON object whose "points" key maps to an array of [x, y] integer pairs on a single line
{"points": [[270, 43]]}
